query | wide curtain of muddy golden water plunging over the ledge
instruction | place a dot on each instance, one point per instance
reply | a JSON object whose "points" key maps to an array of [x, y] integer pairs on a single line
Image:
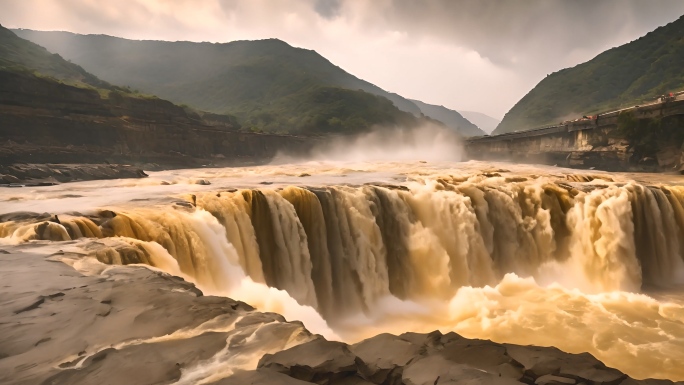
{"points": [[342, 249]]}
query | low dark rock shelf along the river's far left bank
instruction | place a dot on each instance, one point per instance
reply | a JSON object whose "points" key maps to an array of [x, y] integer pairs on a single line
{"points": [[16, 175]]}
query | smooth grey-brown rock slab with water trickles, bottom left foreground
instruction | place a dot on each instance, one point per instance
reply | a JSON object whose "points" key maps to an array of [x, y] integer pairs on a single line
{"points": [[124, 325]]}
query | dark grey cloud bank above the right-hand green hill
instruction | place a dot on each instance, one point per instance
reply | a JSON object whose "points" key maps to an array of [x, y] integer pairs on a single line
{"points": [[510, 32]]}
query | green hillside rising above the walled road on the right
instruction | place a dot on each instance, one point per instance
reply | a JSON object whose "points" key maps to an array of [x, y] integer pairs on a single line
{"points": [[627, 75]]}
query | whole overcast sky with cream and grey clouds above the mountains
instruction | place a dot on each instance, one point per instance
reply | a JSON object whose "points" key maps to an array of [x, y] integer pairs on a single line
{"points": [[480, 55]]}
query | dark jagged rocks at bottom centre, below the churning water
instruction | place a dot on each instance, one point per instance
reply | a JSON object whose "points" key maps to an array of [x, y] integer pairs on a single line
{"points": [[436, 358]]}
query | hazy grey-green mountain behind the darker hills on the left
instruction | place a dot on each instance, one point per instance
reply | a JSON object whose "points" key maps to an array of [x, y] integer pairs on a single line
{"points": [[271, 68]]}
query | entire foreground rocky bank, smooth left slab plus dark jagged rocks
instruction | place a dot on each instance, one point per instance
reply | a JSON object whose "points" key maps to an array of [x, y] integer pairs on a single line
{"points": [[100, 324]]}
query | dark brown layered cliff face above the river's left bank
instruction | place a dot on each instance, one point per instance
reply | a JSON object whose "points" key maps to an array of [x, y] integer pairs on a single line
{"points": [[43, 120]]}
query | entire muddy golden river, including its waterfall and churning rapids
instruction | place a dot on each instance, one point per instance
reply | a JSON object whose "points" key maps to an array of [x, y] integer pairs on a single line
{"points": [[584, 261]]}
